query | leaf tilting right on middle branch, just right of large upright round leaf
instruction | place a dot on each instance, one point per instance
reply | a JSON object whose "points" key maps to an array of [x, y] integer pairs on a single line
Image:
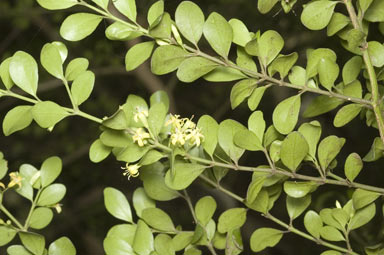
{"points": [[328, 149]]}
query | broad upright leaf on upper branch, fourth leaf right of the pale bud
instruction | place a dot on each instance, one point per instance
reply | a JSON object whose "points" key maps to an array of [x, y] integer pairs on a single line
{"points": [[269, 46]]}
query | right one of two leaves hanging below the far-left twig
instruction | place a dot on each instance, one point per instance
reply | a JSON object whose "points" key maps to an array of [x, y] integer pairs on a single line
{"points": [[47, 114]]}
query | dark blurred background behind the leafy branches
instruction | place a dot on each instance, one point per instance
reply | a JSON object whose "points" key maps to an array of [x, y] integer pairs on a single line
{"points": [[24, 25]]}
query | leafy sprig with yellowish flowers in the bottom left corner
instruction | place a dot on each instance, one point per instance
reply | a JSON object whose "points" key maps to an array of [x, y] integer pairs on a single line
{"points": [[35, 185]]}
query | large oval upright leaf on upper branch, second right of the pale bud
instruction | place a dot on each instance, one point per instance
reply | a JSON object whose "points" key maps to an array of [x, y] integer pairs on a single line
{"points": [[218, 33]]}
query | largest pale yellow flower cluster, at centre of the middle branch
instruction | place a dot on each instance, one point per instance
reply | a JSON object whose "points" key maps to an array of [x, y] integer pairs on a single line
{"points": [[184, 130]]}
